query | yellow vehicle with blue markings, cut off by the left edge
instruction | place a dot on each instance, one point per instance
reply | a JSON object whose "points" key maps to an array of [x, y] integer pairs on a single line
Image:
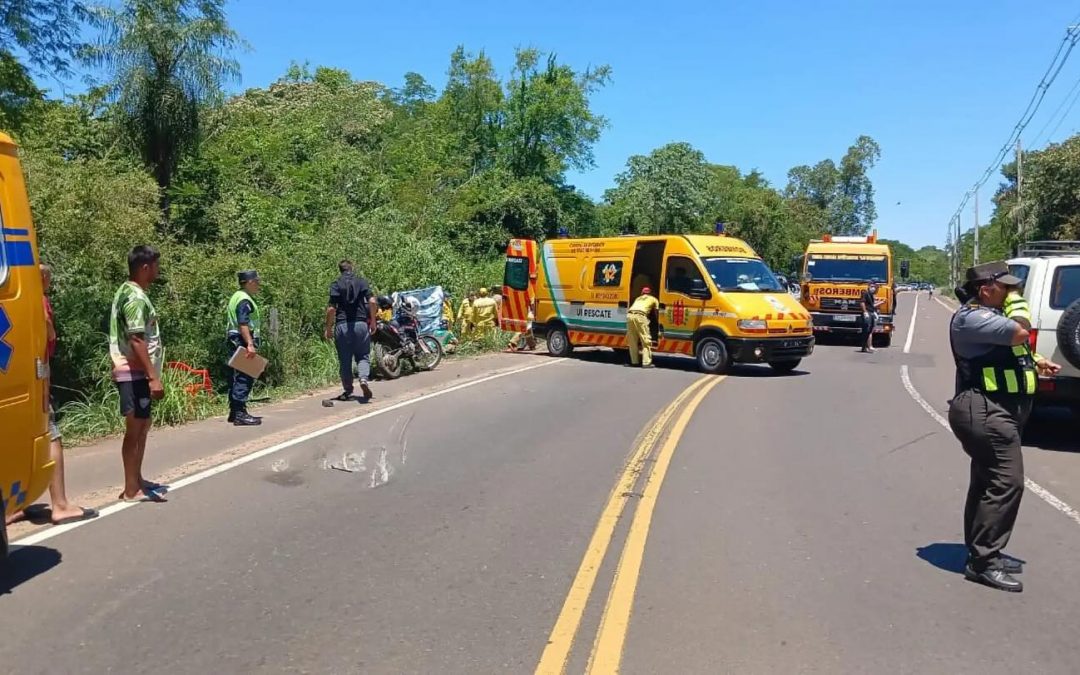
{"points": [[25, 463]]}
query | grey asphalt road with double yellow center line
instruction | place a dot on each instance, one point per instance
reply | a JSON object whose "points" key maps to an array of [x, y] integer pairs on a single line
{"points": [[571, 516]]}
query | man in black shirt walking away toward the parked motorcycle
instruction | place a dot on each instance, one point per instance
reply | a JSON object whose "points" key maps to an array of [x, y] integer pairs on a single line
{"points": [[350, 321]]}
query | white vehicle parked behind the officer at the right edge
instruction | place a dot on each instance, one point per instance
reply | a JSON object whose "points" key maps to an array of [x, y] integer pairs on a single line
{"points": [[1051, 274]]}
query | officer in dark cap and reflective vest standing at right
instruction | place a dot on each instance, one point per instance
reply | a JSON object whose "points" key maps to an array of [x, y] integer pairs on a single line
{"points": [[996, 380]]}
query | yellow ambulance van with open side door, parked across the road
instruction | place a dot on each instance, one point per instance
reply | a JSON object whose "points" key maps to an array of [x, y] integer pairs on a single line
{"points": [[719, 301]]}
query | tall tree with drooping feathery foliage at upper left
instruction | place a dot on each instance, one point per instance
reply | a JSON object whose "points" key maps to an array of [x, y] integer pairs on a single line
{"points": [[167, 60]]}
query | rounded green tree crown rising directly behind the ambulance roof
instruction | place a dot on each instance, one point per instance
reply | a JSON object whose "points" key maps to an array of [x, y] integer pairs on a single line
{"points": [[665, 193]]}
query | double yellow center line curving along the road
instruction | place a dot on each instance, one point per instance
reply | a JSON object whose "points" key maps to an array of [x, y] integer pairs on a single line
{"points": [[607, 650]]}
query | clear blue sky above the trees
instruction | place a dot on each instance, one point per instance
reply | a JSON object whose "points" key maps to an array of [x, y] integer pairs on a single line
{"points": [[762, 84]]}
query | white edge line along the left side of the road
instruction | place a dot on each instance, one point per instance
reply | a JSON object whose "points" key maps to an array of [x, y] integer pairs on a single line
{"points": [[213, 471]]}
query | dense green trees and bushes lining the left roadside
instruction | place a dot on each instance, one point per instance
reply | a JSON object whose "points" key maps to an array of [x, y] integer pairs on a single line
{"points": [[418, 186]]}
